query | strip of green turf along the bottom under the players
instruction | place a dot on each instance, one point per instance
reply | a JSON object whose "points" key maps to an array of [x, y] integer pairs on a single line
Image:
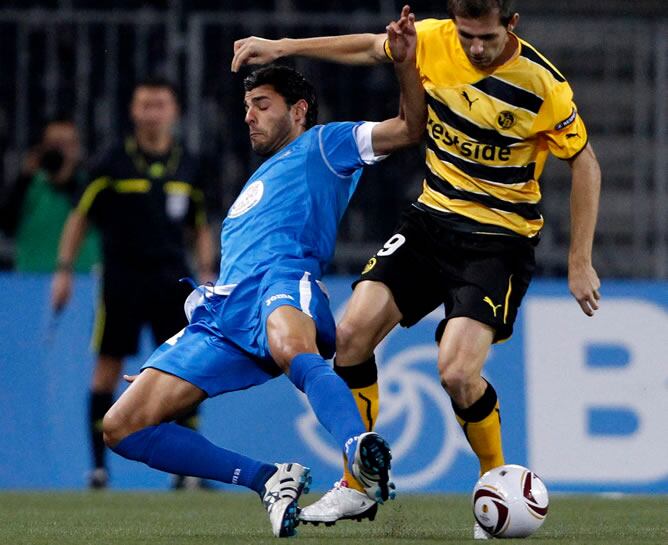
{"points": [[220, 518]]}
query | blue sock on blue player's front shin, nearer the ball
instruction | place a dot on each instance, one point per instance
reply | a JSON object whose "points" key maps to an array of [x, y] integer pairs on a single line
{"points": [[331, 400]]}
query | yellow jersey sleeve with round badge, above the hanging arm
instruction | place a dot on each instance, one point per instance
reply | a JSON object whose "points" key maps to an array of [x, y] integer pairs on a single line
{"points": [[560, 125]]}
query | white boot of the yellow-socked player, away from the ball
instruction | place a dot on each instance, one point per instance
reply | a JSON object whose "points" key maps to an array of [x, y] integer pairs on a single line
{"points": [[340, 503]]}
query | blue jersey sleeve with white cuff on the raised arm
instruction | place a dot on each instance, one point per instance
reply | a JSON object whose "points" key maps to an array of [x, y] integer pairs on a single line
{"points": [[346, 147]]}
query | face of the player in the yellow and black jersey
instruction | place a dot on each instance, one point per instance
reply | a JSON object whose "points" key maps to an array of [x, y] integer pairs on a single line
{"points": [[484, 40]]}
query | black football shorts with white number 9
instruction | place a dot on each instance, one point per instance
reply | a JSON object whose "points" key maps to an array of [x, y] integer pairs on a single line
{"points": [[427, 263]]}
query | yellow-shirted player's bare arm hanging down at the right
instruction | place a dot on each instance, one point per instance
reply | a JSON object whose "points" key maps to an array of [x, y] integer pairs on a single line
{"points": [[583, 281]]}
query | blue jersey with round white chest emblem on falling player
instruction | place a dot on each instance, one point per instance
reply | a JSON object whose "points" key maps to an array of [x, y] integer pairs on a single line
{"points": [[290, 208]]}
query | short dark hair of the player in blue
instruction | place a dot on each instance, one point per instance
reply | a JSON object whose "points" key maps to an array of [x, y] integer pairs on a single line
{"points": [[288, 83]]}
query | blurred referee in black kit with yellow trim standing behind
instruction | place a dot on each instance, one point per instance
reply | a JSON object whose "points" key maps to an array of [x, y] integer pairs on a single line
{"points": [[147, 199]]}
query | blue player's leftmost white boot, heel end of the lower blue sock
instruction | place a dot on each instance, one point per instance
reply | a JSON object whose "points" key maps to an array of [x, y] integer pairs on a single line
{"points": [[280, 495]]}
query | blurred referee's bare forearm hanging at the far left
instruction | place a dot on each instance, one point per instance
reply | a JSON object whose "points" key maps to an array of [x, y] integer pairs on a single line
{"points": [[73, 234]]}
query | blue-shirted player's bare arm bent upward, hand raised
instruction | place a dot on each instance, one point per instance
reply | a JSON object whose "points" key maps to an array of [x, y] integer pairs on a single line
{"points": [[407, 128]]}
